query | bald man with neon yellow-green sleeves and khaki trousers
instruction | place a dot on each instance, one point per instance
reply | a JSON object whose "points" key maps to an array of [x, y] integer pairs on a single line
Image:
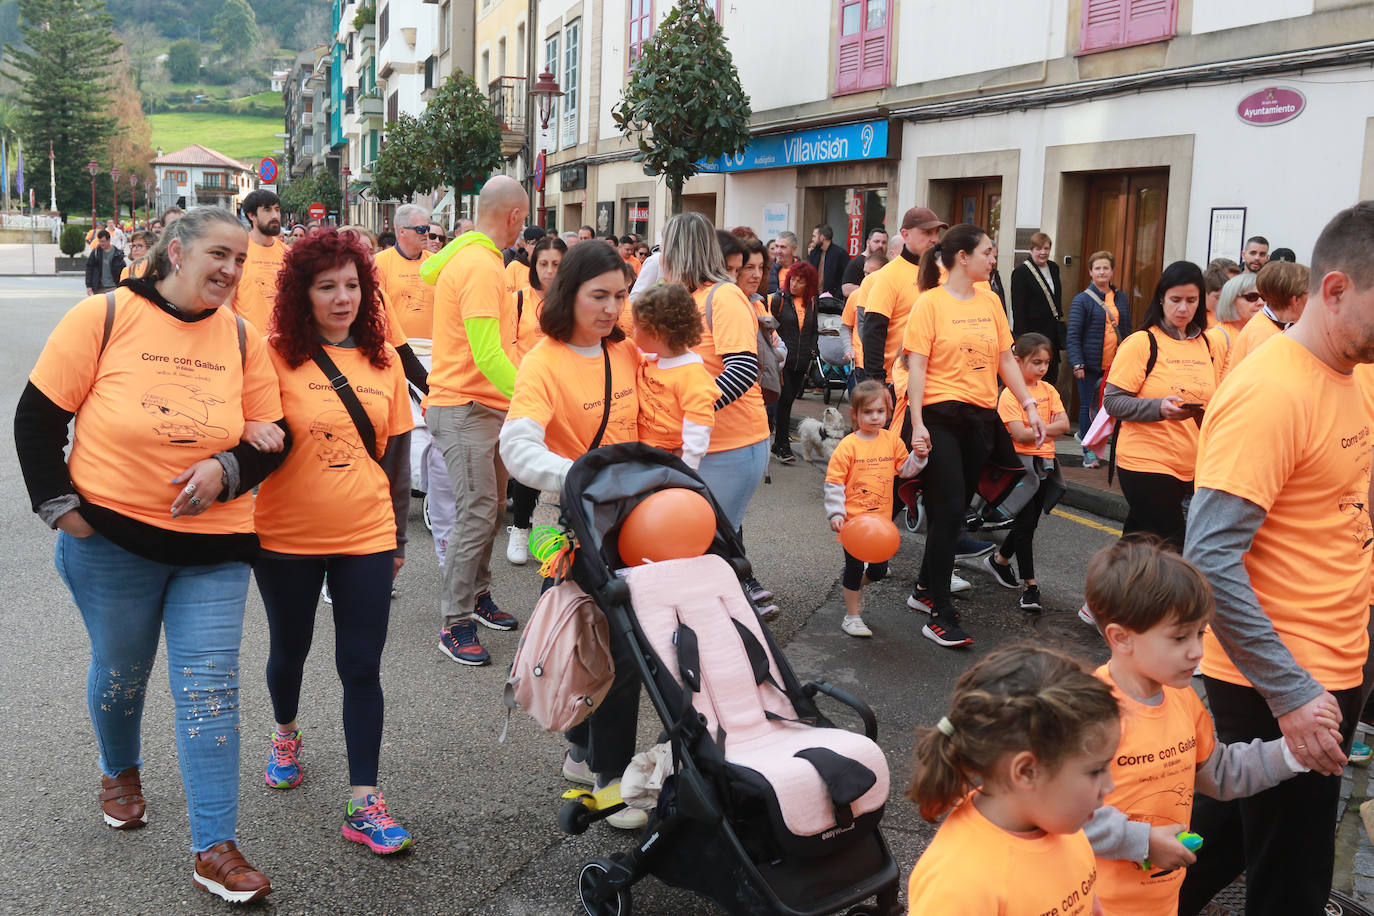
{"points": [[472, 380]]}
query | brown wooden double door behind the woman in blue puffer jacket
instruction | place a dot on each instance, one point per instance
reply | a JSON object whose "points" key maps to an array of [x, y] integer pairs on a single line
{"points": [[1126, 216]]}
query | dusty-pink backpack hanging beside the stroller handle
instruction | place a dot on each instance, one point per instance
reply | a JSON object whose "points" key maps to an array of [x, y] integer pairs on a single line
{"points": [[563, 665]]}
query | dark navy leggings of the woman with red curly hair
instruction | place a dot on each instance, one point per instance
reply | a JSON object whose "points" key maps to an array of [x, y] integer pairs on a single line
{"points": [[362, 593]]}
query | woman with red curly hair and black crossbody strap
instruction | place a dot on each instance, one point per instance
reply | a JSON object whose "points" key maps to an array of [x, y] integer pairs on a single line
{"points": [[337, 507]]}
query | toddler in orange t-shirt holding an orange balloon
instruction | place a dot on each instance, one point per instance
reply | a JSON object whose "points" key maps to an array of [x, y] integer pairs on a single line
{"points": [[859, 483]]}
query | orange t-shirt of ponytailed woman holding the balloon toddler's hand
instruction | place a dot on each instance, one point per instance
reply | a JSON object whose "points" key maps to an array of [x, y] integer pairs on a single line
{"points": [[964, 341]]}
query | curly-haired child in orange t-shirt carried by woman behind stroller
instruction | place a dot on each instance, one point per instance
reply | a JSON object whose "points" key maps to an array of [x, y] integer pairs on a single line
{"points": [[677, 393]]}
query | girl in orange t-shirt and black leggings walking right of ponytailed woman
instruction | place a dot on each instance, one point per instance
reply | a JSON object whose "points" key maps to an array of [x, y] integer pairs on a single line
{"points": [[1033, 352]]}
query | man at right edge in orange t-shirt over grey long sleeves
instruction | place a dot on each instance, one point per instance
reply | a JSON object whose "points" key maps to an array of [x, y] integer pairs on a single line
{"points": [[1281, 528]]}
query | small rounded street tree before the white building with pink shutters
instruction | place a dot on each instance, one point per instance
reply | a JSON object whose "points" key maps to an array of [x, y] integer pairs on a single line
{"points": [[685, 102]]}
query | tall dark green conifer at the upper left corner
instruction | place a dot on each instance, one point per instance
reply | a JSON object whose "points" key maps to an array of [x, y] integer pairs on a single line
{"points": [[64, 76]]}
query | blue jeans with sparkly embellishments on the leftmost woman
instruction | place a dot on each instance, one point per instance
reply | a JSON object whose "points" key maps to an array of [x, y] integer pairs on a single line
{"points": [[124, 602]]}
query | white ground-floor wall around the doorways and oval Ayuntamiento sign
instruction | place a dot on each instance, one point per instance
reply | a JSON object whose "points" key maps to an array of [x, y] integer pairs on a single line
{"points": [[1292, 178]]}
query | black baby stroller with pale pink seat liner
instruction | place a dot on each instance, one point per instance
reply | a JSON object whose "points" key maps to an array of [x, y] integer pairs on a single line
{"points": [[770, 810]]}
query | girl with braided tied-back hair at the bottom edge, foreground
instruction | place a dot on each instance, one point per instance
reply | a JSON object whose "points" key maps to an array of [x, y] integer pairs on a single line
{"points": [[1022, 763]]}
